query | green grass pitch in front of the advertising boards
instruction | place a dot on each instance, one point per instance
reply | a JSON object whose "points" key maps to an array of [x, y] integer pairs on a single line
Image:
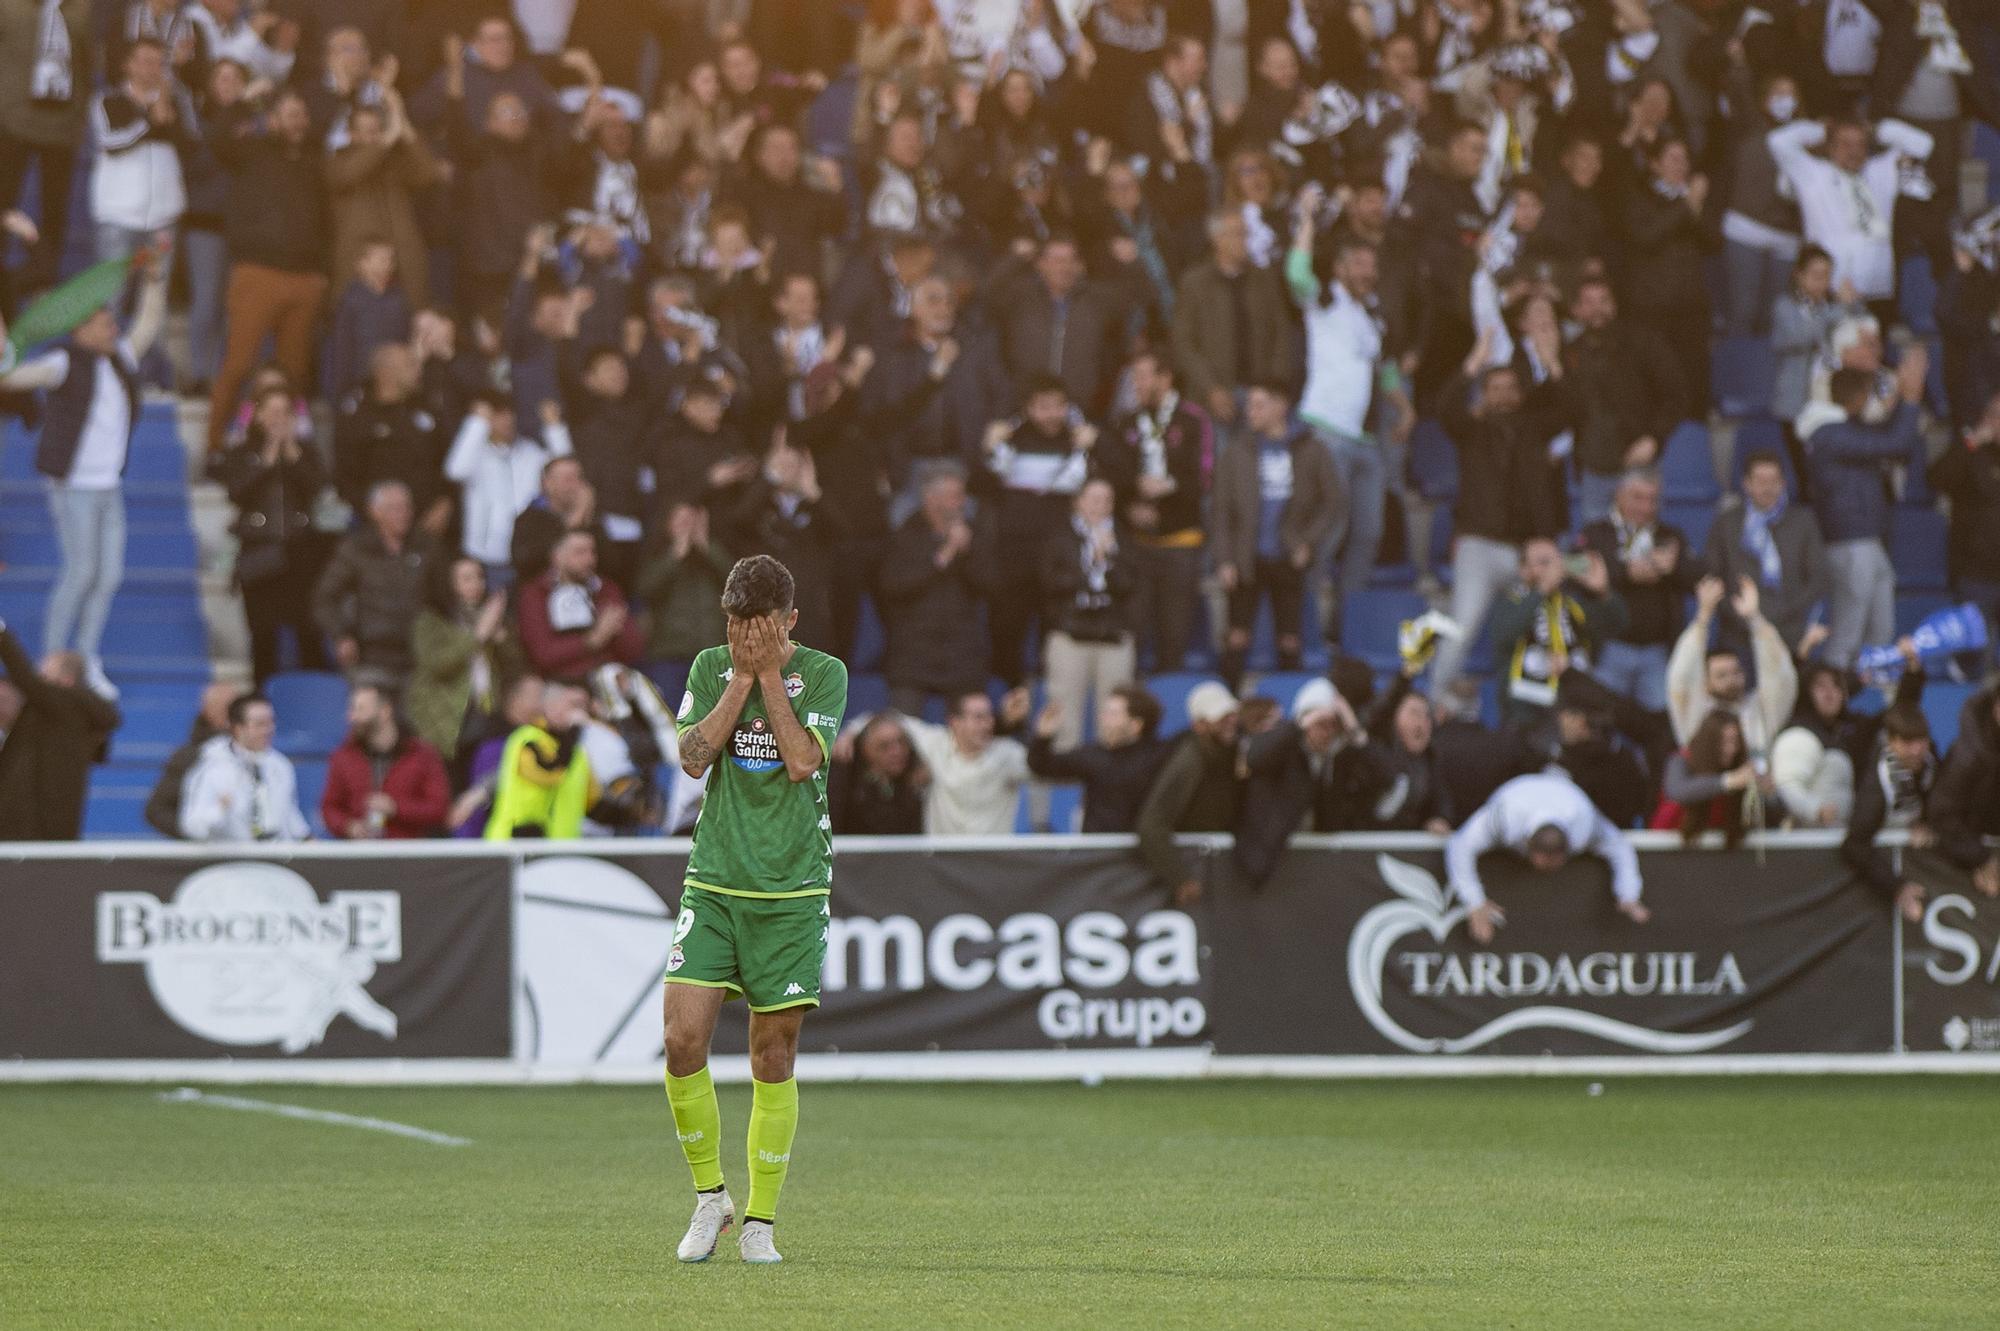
{"points": [[1843, 1202]]}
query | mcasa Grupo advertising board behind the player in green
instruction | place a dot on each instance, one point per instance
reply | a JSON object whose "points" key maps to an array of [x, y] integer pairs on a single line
{"points": [[927, 950]]}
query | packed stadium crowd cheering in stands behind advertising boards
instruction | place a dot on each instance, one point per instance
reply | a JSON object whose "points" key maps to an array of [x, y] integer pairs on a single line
{"points": [[1069, 343]]}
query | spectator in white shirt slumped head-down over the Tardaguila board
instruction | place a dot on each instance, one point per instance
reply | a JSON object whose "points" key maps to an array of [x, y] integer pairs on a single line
{"points": [[1545, 820]]}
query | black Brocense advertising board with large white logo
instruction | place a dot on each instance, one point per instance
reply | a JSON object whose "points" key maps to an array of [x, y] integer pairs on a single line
{"points": [[255, 958]]}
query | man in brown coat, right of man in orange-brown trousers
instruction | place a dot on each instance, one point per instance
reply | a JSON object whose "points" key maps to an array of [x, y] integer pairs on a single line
{"points": [[373, 183]]}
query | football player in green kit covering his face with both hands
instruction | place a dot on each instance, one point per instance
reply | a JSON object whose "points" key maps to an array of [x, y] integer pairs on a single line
{"points": [[761, 718]]}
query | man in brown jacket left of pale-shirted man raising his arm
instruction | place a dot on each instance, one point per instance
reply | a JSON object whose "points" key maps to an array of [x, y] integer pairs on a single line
{"points": [[1233, 325]]}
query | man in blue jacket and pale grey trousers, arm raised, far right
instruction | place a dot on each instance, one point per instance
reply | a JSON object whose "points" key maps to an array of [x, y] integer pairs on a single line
{"points": [[1851, 473]]}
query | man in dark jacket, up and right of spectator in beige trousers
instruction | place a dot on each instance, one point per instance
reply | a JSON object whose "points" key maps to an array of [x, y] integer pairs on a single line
{"points": [[1159, 463]]}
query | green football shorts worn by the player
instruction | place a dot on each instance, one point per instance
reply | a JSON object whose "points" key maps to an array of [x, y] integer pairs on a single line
{"points": [[765, 950]]}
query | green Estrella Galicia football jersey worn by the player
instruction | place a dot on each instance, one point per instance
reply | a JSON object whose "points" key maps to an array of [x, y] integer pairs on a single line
{"points": [[761, 832]]}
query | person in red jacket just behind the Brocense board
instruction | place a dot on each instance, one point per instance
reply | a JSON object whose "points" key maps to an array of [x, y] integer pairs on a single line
{"points": [[383, 780]]}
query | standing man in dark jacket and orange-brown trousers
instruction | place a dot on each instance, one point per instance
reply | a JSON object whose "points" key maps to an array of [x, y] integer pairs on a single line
{"points": [[279, 249]]}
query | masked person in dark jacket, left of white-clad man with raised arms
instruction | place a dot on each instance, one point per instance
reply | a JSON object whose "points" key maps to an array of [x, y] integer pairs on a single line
{"points": [[1761, 225]]}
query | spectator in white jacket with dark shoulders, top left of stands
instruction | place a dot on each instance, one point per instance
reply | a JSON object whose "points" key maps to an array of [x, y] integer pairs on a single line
{"points": [[143, 129]]}
